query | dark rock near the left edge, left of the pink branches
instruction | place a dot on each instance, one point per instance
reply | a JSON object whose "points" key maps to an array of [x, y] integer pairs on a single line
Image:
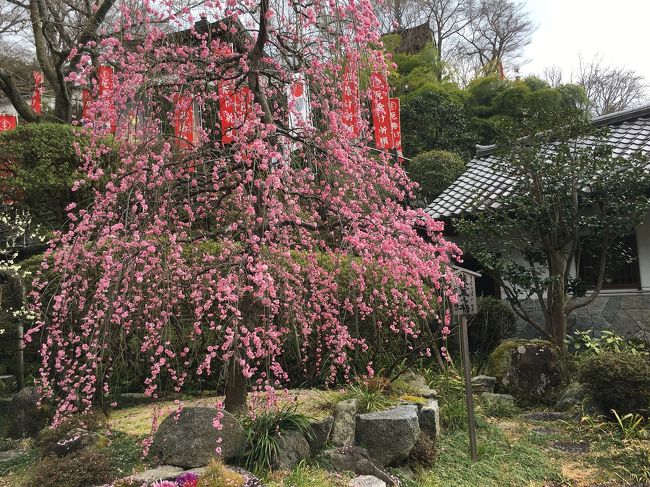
{"points": [[25, 416]]}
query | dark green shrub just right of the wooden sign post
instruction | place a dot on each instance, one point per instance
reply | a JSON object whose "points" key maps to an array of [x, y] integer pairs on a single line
{"points": [[494, 322]]}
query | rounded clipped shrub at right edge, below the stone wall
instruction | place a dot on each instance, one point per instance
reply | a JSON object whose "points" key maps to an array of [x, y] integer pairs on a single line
{"points": [[618, 381]]}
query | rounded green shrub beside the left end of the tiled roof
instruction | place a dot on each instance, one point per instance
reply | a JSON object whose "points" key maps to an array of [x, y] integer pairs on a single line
{"points": [[434, 171]]}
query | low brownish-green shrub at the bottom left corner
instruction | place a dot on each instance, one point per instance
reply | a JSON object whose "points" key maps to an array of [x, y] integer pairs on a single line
{"points": [[87, 467]]}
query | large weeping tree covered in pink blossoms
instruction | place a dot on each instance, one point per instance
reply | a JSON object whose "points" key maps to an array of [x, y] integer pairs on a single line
{"points": [[291, 238]]}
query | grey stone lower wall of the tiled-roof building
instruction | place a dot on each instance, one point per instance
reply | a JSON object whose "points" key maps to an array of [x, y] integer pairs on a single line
{"points": [[627, 315]]}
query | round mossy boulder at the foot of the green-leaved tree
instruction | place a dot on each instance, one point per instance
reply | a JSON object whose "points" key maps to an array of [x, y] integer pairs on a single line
{"points": [[530, 370]]}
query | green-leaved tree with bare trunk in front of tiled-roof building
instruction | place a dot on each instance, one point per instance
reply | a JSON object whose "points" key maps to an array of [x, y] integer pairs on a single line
{"points": [[566, 198]]}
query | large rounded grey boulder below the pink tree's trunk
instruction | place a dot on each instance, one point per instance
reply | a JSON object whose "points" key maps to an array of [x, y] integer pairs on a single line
{"points": [[191, 441]]}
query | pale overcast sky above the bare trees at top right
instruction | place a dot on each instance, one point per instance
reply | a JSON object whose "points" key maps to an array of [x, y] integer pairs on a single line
{"points": [[617, 30]]}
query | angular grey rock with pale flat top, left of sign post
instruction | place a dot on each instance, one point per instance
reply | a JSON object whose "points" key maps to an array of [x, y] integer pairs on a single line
{"points": [[389, 435]]}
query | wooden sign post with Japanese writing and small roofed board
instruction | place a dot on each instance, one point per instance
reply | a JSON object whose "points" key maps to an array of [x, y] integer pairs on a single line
{"points": [[467, 306]]}
